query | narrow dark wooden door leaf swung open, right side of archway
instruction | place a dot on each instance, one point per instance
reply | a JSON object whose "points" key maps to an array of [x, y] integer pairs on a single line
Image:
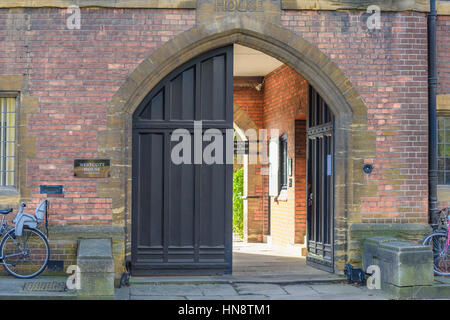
{"points": [[320, 219]]}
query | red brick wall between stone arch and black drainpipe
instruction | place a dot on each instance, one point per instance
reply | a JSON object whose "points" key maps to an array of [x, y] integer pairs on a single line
{"points": [[388, 68]]}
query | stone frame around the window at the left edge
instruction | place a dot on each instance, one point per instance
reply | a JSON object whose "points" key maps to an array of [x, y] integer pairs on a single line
{"points": [[13, 189]]}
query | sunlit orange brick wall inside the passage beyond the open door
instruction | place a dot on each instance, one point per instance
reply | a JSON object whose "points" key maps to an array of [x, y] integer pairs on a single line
{"points": [[280, 104]]}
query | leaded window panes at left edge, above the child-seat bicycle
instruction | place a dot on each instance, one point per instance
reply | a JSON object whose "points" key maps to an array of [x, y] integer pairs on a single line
{"points": [[7, 141]]}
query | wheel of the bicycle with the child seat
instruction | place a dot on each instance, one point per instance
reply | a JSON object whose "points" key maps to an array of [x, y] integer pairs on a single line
{"points": [[26, 256]]}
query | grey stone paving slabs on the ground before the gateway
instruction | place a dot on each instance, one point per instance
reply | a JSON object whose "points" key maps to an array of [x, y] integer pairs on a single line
{"points": [[248, 291]]}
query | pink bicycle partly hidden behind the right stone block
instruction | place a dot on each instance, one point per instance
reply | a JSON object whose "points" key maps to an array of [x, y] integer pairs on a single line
{"points": [[439, 240]]}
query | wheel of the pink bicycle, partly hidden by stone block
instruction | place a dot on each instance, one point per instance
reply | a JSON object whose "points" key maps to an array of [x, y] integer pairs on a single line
{"points": [[441, 257]]}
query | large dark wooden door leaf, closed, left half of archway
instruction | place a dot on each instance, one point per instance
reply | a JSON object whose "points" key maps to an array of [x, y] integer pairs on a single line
{"points": [[182, 213]]}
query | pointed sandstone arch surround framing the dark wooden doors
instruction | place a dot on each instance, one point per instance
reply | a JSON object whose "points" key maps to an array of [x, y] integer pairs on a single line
{"points": [[355, 143]]}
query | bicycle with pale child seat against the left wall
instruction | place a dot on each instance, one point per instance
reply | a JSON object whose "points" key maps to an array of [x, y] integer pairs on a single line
{"points": [[24, 249]]}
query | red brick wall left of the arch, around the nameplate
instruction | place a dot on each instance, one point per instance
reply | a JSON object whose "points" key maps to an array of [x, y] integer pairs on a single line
{"points": [[75, 73]]}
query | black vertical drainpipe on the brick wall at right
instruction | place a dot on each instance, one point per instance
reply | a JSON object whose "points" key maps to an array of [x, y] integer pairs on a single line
{"points": [[432, 118]]}
